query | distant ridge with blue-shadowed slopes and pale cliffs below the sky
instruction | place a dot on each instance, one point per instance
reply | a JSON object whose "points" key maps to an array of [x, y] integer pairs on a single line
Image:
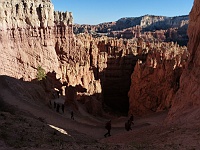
{"points": [[165, 29]]}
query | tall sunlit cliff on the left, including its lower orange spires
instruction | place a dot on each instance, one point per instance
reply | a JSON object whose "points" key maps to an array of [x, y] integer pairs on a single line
{"points": [[32, 35]]}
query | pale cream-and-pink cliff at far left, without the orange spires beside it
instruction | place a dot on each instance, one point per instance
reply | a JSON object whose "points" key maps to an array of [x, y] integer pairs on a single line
{"points": [[30, 31]]}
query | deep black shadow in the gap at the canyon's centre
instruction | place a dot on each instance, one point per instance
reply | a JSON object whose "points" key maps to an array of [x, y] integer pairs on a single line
{"points": [[116, 81]]}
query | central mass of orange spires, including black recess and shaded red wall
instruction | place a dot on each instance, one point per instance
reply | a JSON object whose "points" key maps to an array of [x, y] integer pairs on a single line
{"points": [[155, 78]]}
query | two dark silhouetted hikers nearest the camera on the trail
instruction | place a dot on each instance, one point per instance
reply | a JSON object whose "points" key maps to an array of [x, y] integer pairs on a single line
{"points": [[127, 125]]}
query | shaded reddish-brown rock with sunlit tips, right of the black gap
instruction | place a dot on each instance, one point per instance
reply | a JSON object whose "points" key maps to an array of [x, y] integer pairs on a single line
{"points": [[155, 82]]}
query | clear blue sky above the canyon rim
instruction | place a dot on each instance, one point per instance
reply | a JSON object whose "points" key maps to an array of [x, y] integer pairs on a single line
{"points": [[99, 11]]}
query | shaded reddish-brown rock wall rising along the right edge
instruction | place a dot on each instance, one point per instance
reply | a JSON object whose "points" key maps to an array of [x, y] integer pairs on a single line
{"points": [[187, 99]]}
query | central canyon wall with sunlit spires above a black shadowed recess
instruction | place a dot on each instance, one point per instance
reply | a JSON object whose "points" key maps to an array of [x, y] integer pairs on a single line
{"points": [[112, 61]]}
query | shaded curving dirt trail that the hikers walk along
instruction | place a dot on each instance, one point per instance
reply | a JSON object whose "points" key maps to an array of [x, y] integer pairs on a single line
{"points": [[84, 123]]}
